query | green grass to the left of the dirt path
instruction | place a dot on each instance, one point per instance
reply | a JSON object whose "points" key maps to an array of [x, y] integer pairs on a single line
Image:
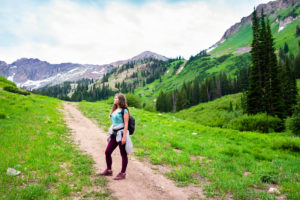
{"points": [[35, 141]]}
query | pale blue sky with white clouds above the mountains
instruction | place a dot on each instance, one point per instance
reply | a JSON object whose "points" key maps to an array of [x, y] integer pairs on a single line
{"points": [[104, 31]]}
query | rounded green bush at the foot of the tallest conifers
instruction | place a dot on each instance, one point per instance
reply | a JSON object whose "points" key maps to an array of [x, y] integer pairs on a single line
{"points": [[259, 122]]}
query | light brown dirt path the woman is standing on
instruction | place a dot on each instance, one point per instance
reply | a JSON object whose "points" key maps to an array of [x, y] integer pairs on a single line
{"points": [[141, 181]]}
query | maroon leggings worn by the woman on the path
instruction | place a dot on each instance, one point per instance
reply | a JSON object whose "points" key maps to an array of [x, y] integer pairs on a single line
{"points": [[110, 148]]}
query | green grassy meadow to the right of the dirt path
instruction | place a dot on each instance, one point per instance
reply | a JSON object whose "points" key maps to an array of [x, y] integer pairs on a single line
{"points": [[214, 158]]}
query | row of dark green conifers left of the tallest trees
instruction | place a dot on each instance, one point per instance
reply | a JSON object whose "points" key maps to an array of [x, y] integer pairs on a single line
{"points": [[198, 91]]}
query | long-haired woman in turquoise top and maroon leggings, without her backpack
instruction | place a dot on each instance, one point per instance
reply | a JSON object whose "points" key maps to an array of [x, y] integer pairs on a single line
{"points": [[118, 136]]}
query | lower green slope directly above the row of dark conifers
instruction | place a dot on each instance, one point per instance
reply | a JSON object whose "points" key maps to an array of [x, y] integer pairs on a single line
{"points": [[202, 67]]}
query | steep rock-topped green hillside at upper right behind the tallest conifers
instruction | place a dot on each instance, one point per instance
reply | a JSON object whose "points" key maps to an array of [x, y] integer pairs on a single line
{"points": [[283, 23]]}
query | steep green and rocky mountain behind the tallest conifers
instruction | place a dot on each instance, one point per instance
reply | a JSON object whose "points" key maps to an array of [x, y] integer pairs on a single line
{"points": [[237, 38]]}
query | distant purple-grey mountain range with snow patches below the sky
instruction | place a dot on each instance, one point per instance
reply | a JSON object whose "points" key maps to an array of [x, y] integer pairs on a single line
{"points": [[32, 73]]}
